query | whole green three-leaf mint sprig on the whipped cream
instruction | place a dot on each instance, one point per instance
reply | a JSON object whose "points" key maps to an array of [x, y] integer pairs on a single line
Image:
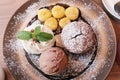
{"points": [[37, 34]]}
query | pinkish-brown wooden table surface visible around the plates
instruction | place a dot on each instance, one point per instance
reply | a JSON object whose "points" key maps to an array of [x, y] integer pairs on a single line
{"points": [[7, 9]]}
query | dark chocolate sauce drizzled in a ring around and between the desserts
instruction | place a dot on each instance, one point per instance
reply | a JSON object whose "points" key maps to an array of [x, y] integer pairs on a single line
{"points": [[58, 31]]}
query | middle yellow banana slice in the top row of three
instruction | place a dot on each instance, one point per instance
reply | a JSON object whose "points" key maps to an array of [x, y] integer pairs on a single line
{"points": [[58, 11]]}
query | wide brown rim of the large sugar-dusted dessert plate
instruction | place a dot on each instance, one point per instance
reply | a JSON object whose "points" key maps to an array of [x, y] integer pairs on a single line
{"points": [[22, 69]]}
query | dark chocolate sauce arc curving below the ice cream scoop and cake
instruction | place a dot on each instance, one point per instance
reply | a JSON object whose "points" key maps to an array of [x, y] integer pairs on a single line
{"points": [[61, 77]]}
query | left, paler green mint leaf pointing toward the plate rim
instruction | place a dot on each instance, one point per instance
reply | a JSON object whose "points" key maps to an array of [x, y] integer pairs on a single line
{"points": [[24, 35]]}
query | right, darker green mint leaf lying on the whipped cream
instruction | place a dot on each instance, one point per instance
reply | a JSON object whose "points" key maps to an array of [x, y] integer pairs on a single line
{"points": [[43, 36]]}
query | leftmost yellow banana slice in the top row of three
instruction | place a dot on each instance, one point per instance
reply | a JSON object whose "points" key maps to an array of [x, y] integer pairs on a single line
{"points": [[44, 14]]}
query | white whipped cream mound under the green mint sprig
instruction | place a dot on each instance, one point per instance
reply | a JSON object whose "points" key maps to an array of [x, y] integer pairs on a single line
{"points": [[33, 47]]}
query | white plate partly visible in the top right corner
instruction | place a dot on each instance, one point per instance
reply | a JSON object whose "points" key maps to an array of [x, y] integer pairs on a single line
{"points": [[109, 6]]}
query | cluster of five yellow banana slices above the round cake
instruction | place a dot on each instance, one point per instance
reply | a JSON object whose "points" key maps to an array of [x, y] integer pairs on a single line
{"points": [[58, 16]]}
